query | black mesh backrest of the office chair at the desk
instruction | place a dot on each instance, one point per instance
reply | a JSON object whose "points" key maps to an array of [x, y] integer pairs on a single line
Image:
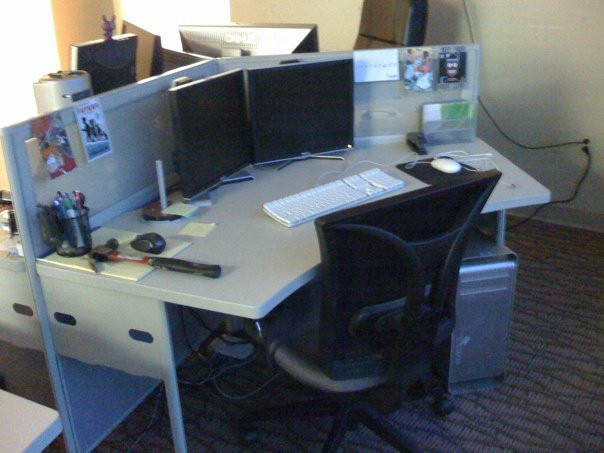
{"points": [[382, 251]]}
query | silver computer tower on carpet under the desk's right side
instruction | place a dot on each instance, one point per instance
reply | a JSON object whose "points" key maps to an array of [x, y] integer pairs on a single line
{"points": [[485, 296]]}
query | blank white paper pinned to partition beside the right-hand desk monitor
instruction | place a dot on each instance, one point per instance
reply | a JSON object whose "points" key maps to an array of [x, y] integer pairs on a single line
{"points": [[376, 65]]}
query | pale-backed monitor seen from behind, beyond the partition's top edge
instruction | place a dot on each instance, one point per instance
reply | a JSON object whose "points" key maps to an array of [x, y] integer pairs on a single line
{"points": [[233, 40]]}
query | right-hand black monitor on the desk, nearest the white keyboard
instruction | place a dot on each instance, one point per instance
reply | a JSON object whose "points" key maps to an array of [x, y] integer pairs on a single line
{"points": [[301, 108]]}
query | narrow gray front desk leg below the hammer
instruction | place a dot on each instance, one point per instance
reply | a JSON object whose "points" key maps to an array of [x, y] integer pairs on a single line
{"points": [[171, 383]]}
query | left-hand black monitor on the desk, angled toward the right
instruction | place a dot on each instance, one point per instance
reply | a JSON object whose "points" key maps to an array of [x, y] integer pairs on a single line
{"points": [[211, 130]]}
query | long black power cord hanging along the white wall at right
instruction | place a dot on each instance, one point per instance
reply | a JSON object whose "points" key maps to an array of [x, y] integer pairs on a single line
{"points": [[583, 142]]}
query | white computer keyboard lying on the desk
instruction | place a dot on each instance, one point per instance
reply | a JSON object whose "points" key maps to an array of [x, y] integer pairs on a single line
{"points": [[312, 203]]}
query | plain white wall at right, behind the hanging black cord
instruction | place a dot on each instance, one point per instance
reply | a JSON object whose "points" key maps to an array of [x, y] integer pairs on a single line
{"points": [[542, 80]]}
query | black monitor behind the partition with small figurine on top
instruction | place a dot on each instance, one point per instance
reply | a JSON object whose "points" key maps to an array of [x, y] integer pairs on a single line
{"points": [[111, 64]]}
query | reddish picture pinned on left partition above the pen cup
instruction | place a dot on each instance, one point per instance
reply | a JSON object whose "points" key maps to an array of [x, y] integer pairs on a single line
{"points": [[53, 145]]}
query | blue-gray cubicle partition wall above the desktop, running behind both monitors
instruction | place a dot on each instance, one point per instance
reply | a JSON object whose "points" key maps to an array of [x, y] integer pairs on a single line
{"points": [[138, 119]]}
